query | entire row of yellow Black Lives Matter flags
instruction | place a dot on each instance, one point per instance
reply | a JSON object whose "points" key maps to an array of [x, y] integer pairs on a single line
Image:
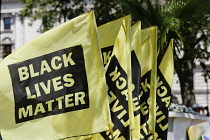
{"points": [[80, 81]]}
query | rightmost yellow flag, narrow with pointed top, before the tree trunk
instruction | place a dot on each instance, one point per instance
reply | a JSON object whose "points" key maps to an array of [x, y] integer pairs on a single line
{"points": [[164, 82]]}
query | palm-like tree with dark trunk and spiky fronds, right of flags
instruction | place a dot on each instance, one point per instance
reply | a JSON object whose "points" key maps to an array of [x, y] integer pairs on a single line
{"points": [[188, 22]]}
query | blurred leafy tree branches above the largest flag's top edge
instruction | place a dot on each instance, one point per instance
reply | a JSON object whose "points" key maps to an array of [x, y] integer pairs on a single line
{"points": [[53, 12]]}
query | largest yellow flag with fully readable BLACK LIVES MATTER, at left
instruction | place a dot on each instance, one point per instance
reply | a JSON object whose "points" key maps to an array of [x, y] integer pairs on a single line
{"points": [[54, 86]]}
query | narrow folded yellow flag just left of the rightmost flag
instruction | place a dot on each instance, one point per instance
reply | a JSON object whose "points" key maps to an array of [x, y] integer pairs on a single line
{"points": [[148, 62]]}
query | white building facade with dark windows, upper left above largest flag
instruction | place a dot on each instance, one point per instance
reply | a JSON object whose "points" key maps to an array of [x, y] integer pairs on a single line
{"points": [[15, 30]]}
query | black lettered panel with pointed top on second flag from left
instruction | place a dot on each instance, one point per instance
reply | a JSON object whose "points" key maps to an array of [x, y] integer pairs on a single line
{"points": [[116, 79]]}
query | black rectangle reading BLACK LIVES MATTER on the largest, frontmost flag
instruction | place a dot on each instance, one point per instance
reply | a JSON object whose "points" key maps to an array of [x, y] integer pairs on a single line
{"points": [[51, 84]]}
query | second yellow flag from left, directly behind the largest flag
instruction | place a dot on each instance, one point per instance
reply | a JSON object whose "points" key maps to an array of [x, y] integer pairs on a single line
{"points": [[114, 40]]}
